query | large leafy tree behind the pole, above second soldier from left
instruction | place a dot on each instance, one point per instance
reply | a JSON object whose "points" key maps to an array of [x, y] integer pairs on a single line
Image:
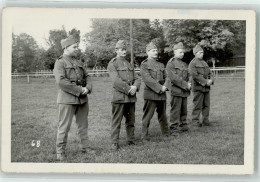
{"points": [[105, 33]]}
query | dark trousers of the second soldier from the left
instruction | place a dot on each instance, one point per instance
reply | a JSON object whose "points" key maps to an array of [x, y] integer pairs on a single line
{"points": [[118, 111]]}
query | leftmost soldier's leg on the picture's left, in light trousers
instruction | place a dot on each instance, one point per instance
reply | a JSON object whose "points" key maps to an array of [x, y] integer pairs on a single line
{"points": [[66, 113]]}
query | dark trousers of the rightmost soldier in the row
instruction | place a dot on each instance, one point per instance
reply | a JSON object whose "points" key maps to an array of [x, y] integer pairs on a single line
{"points": [[201, 104]]}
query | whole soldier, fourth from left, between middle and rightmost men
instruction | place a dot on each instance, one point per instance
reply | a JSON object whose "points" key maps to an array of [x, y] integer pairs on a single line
{"points": [[177, 73]]}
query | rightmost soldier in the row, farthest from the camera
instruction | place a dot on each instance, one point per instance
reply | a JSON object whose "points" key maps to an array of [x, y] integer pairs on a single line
{"points": [[202, 78]]}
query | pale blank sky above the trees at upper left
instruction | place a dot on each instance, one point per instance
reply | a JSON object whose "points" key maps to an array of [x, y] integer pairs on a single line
{"points": [[39, 25]]}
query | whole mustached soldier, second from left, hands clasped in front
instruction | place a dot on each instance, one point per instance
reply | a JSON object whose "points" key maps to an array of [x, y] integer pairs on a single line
{"points": [[125, 85]]}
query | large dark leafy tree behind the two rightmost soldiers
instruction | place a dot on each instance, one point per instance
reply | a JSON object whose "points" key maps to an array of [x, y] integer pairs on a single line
{"points": [[218, 37]]}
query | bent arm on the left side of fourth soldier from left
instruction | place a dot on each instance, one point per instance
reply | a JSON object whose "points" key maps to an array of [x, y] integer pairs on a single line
{"points": [[174, 78]]}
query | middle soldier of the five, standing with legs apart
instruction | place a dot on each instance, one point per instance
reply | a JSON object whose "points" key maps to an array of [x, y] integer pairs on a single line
{"points": [[153, 74]]}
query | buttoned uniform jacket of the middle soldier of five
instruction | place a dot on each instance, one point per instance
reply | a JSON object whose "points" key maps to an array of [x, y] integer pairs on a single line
{"points": [[154, 76]]}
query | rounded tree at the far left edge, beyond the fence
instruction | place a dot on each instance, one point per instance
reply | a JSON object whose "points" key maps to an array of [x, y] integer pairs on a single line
{"points": [[24, 49]]}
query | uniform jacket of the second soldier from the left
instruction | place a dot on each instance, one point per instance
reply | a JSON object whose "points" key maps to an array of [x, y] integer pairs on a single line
{"points": [[123, 76]]}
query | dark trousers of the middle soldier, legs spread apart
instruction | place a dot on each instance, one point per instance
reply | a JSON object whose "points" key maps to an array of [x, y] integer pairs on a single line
{"points": [[148, 109]]}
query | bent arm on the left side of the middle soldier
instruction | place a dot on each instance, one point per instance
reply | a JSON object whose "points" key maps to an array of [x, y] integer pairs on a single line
{"points": [[149, 81]]}
